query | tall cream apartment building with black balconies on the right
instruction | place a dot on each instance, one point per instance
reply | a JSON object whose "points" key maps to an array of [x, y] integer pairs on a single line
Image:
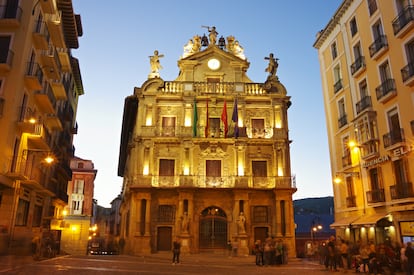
{"points": [[366, 55]]}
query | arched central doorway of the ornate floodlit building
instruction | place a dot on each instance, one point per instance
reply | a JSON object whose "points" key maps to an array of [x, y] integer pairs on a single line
{"points": [[213, 228]]}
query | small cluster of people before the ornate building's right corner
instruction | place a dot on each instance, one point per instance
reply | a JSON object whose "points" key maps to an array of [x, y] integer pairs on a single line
{"points": [[270, 252]]}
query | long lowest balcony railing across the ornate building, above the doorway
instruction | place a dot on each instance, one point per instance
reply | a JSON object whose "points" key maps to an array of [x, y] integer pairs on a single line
{"points": [[270, 182]]}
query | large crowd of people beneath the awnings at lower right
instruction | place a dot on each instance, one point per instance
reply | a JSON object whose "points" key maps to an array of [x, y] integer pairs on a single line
{"points": [[368, 257]]}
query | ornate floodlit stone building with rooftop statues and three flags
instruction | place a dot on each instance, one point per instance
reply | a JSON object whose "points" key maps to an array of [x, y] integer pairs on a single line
{"points": [[206, 157]]}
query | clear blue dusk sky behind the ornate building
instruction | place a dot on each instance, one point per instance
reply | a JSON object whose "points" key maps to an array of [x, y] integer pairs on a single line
{"points": [[119, 36]]}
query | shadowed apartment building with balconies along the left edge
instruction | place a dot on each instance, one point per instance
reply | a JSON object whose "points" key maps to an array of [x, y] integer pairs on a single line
{"points": [[40, 83]]}
